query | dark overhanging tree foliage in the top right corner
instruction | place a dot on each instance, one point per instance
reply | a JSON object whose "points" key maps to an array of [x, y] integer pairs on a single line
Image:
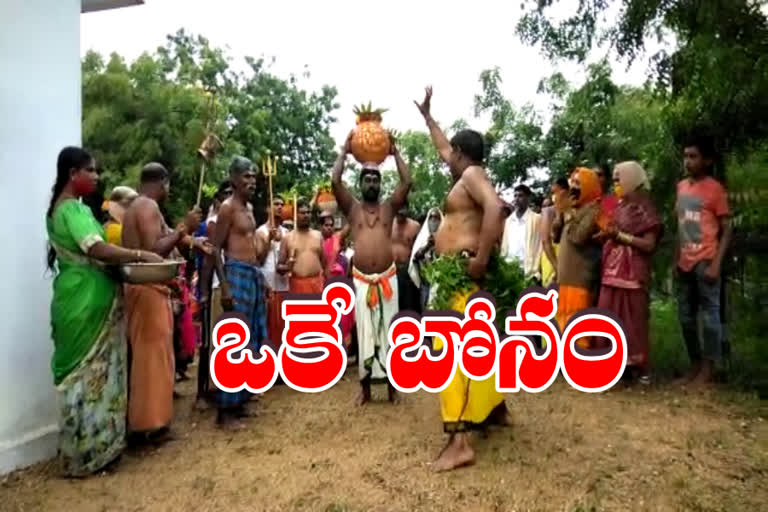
{"points": [[714, 79]]}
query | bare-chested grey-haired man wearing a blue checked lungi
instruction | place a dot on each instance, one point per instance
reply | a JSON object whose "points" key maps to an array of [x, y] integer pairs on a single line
{"points": [[241, 279]]}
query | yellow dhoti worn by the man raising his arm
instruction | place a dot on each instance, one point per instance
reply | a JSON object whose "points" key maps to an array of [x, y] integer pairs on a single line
{"points": [[466, 403]]}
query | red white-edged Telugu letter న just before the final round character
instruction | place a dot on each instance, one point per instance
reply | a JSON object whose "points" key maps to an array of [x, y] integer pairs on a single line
{"points": [[518, 363]]}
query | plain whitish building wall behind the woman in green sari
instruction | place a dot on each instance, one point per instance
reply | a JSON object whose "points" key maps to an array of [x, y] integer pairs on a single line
{"points": [[39, 114]]}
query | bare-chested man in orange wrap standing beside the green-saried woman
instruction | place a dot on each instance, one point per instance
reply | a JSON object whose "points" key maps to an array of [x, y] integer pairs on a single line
{"points": [[148, 307]]}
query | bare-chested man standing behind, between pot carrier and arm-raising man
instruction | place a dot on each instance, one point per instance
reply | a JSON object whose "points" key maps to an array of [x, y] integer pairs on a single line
{"points": [[404, 233]]}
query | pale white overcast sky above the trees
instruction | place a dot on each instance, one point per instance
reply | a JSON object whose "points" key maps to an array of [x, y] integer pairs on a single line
{"points": [[381, 52]]}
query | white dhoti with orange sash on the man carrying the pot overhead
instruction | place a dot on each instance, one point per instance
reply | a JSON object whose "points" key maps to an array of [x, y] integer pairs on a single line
{"points": [[376, 302]]}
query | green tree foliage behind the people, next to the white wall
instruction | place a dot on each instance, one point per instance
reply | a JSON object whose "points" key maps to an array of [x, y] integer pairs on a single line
{"points": [[157, 109]]}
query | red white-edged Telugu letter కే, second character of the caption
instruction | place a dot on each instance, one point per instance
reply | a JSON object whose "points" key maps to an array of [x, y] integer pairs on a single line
{"points": [[312, 327]]}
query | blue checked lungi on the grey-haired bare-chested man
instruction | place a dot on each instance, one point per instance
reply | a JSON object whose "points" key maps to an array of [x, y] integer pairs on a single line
{"points": [[246, 284]]}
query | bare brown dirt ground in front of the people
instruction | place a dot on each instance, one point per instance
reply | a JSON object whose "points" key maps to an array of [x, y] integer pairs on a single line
{"points": [[660, 449]]}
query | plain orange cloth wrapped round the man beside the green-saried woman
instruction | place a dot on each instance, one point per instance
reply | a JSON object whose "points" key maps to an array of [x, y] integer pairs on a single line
{"points": [[150, 333]]}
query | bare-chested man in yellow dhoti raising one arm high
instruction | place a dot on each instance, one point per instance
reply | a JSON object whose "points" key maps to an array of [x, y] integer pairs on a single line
{"points": [[471, 227]]}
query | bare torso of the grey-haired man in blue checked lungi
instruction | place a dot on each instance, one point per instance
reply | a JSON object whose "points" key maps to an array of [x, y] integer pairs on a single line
{"points": [[241, 241]]}
